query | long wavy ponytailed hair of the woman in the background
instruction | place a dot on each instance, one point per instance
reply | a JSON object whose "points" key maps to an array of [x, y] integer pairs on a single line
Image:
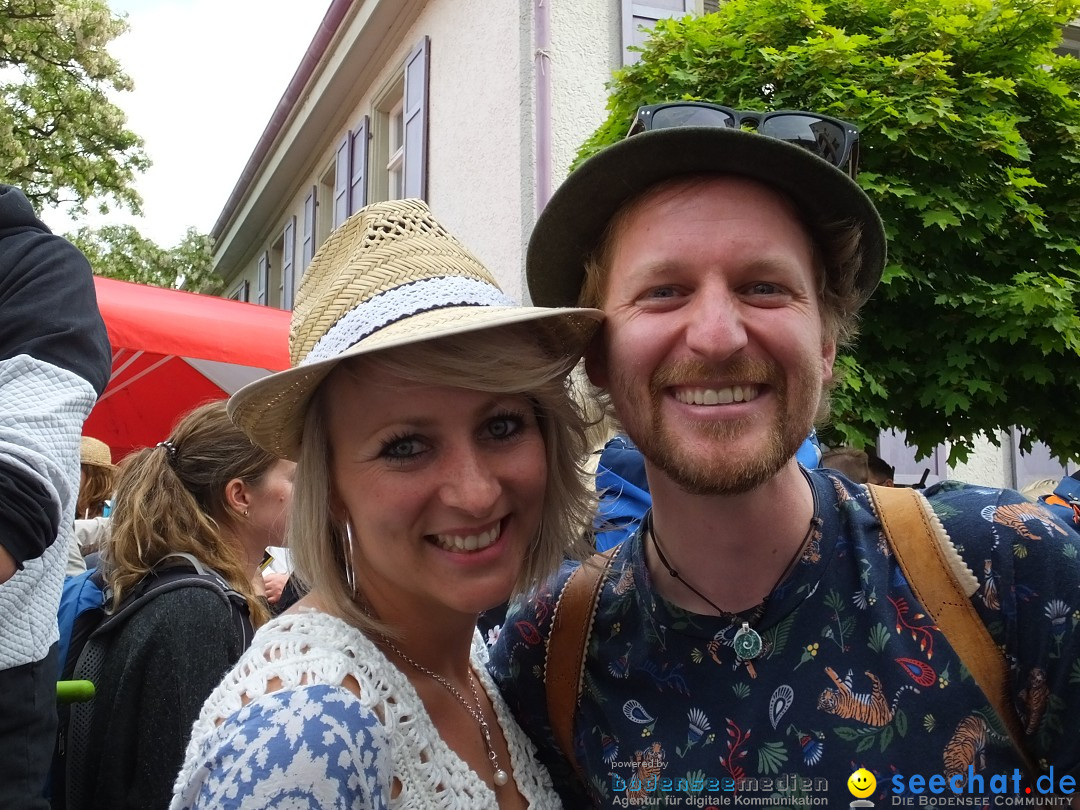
{"points": [[171, 498]]}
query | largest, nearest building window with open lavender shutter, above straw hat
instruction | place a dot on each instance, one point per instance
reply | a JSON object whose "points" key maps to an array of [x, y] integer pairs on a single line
{"points": [[400, 132]]}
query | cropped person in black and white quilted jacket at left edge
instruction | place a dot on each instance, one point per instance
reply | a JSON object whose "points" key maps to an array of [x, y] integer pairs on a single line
{"points": [[55, 362]]}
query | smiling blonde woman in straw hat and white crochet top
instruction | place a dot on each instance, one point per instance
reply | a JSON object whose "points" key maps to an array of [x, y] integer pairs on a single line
{"points": [[438, 457]]}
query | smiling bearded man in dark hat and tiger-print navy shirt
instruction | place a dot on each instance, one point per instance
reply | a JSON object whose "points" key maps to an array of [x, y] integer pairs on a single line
{"points": [[757, 640]]}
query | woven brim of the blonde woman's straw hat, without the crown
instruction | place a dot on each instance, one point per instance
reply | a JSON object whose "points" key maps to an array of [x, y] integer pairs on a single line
{"points": [[272, 411]]}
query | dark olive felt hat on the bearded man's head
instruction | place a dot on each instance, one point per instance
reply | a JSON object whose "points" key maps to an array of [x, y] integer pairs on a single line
{"points": [[573, 223]]}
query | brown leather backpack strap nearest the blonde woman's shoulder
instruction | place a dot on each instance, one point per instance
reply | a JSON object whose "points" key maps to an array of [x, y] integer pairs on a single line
{"points": [[568, 643]]}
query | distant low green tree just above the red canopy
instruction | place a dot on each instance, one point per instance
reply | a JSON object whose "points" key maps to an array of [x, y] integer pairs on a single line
{"points": [[120, 252]]}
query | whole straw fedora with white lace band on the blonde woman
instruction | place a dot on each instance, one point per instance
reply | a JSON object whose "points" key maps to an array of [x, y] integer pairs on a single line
{"points": [[389, 277]]}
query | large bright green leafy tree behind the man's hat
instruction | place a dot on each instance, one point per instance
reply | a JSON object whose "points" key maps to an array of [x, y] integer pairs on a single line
{"points": [[970, 150]]}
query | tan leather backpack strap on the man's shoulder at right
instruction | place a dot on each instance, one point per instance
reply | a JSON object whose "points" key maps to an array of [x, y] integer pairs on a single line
{"points": [[944, 586]]}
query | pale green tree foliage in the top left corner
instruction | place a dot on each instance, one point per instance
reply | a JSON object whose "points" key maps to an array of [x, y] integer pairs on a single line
{"points": [[63, 142]]}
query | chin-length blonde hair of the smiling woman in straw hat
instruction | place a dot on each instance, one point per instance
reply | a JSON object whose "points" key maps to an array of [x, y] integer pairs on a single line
{"points": [[515, 362]]}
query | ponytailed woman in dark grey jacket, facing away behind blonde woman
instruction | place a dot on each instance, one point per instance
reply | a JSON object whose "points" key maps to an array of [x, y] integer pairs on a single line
{"points": [[210, 495]]}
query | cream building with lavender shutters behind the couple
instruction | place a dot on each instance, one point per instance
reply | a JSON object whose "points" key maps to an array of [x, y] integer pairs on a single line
{"points": [[477, 107]]}
